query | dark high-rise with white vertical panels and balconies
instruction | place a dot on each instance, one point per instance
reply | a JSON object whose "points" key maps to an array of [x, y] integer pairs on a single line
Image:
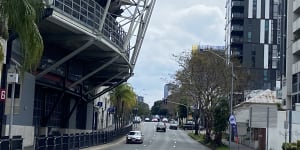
{"points": [[254, 38]]}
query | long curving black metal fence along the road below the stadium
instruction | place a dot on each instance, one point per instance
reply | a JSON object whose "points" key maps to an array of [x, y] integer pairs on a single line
{"points": [[77, 141]]}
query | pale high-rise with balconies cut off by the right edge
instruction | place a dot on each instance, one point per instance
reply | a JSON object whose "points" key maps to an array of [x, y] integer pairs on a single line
{"points": [[291, 84]]}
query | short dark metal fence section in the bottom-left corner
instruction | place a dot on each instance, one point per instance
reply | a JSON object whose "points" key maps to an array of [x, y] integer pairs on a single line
{"points": [[16, 143]]}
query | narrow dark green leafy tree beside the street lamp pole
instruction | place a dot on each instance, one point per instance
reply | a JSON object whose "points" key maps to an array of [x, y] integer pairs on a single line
{"points": [[221, 115]]}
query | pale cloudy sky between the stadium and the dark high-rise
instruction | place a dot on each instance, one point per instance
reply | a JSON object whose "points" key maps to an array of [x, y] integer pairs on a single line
{"points": [[174, 27]]}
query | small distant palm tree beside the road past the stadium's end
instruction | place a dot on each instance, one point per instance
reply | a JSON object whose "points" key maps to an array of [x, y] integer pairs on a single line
{"points": [[124, 99]]}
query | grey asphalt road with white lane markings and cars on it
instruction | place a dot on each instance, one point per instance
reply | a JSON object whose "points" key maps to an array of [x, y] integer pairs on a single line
{"points": [[170, 140]]}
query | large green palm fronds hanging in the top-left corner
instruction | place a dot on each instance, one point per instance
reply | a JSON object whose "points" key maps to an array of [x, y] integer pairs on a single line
{"points": [[20, 16]]}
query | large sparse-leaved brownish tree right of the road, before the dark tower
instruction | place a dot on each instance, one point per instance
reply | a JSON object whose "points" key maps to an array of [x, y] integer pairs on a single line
{"points": [[204, 78]]}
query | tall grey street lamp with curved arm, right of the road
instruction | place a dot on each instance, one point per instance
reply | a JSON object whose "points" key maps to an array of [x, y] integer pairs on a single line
{"points": [[231, 91]]}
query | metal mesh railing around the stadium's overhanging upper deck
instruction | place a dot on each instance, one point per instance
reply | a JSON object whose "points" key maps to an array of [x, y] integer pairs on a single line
{"points": [[89, 13]]}
